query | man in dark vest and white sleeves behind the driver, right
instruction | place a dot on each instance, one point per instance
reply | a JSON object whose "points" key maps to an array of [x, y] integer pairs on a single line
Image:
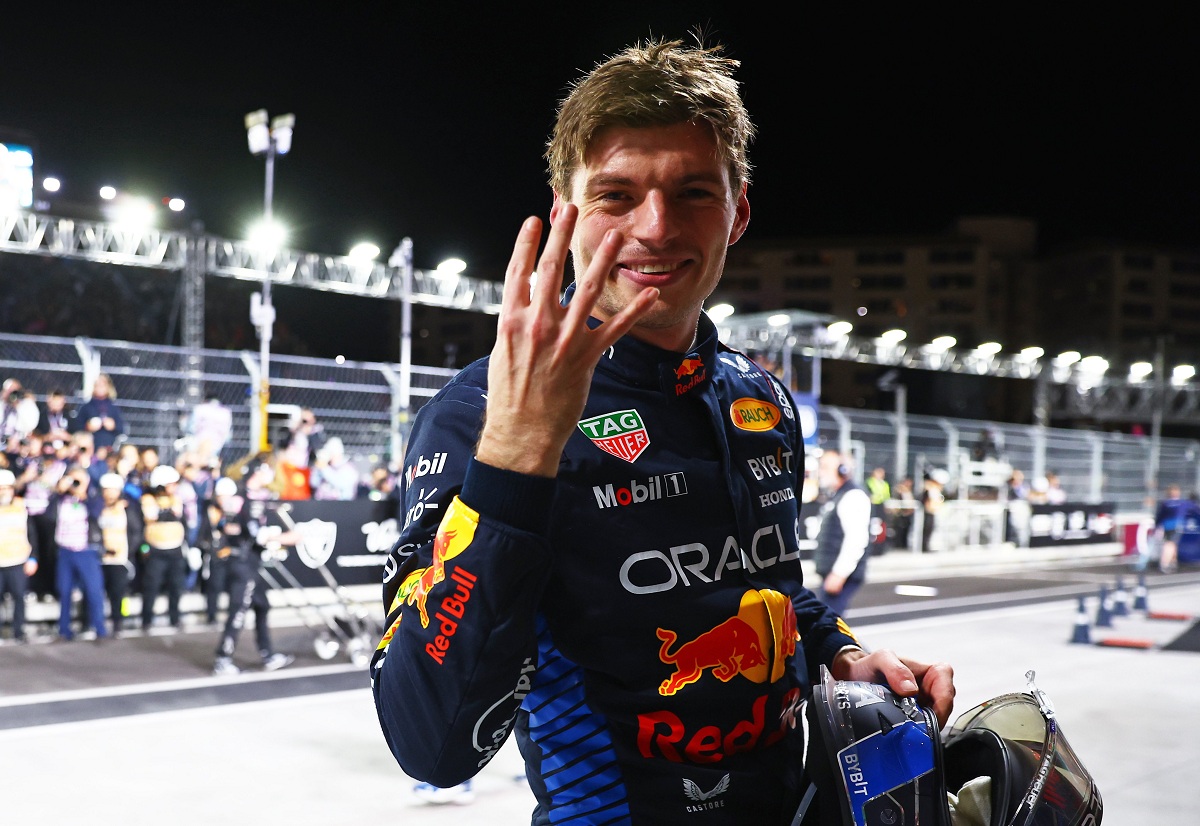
{"points": [[844, 536]]}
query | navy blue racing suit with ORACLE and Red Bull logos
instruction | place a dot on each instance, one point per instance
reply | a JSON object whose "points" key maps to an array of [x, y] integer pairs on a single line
{"points": [[640, 621]]}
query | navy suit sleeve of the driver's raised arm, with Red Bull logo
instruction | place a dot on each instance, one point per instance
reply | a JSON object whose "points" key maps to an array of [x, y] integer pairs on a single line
{"points": [[461, 591]]}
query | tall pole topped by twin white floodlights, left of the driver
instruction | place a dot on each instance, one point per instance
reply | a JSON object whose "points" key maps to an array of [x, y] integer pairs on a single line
{"points": [[267, 137]]}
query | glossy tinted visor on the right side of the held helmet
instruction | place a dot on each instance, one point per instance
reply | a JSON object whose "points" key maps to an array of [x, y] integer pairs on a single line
{"points": [[1059, 792]]}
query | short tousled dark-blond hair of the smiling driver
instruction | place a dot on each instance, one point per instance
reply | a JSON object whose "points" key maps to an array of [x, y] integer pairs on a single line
{"points": [[656, 83]]}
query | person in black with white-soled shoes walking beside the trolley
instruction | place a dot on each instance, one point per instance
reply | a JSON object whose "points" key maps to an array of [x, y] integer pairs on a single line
{"points": [[242, 528]]}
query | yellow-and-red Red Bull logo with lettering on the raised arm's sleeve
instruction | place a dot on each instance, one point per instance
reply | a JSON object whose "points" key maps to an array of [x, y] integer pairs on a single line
{"points": [[455, 534]]}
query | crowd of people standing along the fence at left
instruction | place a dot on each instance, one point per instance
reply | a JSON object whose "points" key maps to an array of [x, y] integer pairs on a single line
{"points": [[85, 511]]}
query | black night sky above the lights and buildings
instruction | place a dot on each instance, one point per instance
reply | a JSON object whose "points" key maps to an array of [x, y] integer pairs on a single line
{"points": [[429, 119]]}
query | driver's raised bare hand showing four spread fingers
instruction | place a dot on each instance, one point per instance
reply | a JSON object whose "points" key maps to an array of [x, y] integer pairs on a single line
{"points": [[545, 354]]}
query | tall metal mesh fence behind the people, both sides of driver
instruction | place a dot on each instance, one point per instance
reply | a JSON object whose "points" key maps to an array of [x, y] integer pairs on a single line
{"points": [[359, 403]]}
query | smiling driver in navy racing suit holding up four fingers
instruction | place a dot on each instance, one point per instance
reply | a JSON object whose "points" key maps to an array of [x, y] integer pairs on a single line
{"points": [[608, 561]]}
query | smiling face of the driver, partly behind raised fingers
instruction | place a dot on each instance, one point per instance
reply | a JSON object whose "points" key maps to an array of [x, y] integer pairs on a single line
{"points": [[669, 193]]}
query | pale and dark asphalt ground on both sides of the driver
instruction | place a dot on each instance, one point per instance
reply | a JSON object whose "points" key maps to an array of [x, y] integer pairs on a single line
{"points": [[137, 732]]}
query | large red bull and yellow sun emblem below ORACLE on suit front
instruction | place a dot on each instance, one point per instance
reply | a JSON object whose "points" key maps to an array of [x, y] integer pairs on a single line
{"points": [[754, 644]]}
